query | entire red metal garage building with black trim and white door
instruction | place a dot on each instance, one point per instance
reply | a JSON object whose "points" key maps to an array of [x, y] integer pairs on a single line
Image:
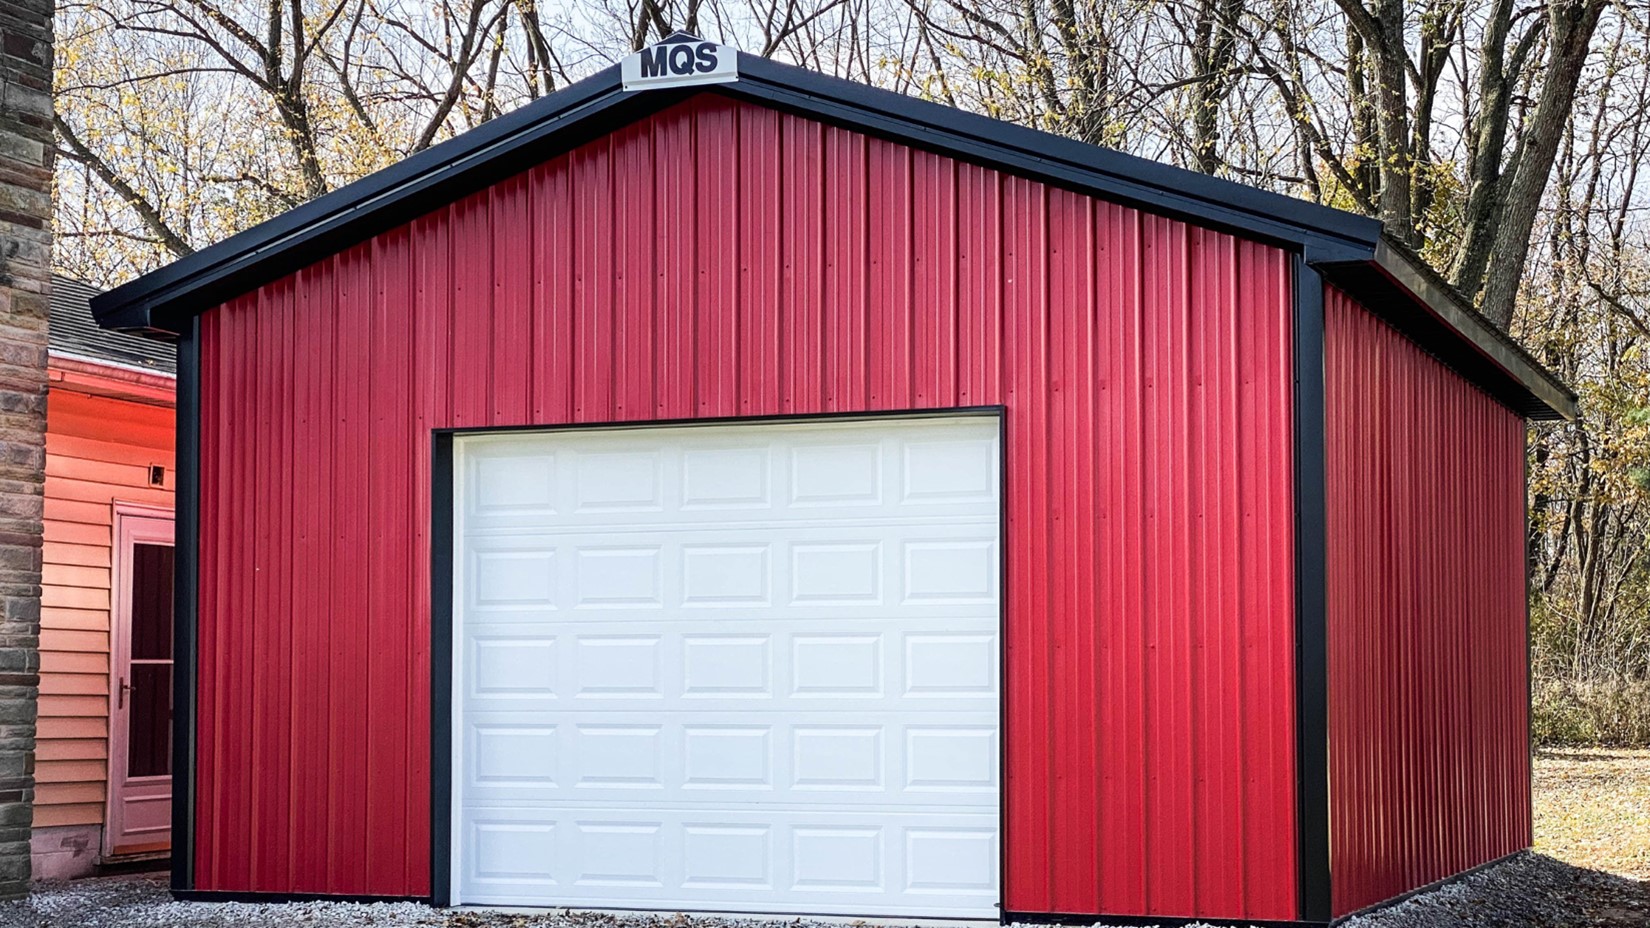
{"points": [[725, 488]]}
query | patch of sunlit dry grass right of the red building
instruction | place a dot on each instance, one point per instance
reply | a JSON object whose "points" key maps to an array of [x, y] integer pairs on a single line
{"points": [[1593, 808]]}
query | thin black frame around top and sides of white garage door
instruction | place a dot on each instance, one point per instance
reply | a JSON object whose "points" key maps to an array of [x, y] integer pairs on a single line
{"points": [[441, 617]]}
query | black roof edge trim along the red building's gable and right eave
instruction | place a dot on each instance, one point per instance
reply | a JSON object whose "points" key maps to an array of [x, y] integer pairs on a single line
{"points": [[1336, 240]]}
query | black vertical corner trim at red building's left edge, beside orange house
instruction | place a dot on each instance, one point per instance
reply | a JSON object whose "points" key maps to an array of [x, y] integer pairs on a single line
{"points": [[186, 607]]}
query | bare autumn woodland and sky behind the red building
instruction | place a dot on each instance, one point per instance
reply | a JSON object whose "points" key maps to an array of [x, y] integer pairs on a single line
{"points": [[1504, 143]]}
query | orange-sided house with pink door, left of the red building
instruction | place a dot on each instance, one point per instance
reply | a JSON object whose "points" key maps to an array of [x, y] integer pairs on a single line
{"points": [[103, 749]]}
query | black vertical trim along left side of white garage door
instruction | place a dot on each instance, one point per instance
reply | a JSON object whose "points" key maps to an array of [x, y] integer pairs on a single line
{"points": [[441, 670]]}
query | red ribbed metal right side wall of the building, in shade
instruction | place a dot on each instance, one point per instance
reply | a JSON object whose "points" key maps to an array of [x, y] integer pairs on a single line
{"points": [[1430, 752]]}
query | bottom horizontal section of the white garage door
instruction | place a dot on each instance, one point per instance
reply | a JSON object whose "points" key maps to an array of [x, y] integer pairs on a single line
{"points": [[771, 861]]}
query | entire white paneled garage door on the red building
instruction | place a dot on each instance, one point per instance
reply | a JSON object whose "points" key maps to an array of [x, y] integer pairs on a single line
{"points": [[742, 668]]}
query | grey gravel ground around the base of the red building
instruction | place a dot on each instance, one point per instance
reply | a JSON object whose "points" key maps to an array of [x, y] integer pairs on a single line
{"points": [[1529, 892]]}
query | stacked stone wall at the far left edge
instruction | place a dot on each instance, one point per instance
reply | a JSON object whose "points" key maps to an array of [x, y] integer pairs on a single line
{"points": [[26, 277]]}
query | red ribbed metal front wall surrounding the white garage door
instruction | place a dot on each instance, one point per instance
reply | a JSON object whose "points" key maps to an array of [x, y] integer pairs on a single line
{"points": [[724, 260]]}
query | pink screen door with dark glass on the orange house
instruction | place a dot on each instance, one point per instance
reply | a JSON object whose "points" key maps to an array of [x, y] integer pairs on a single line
{"points": [[141, 684]]}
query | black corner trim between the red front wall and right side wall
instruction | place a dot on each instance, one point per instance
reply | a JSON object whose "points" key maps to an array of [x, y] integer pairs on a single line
{"points": [[1313, 782]]}
